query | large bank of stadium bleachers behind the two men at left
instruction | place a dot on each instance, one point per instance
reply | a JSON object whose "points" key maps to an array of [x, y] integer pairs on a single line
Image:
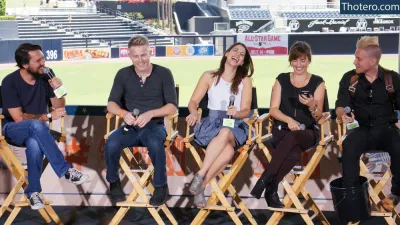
{"points": [[110, 30]]}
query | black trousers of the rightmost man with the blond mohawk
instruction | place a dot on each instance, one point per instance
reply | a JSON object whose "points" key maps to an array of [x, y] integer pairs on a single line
{"points": [[363, 139]]}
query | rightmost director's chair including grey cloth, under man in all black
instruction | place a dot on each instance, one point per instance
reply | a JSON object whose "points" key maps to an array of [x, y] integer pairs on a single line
{"points": [[378, 177]]}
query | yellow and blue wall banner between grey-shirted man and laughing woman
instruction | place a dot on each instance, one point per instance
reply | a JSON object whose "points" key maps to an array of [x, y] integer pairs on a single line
{"points": [[190, 50]]}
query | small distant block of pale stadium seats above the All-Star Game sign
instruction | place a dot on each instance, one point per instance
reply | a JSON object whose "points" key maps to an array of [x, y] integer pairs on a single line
{"points": [[239, 12]]}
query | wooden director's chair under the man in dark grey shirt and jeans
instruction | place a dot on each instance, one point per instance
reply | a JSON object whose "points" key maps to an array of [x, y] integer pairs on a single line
{"points": [[129, 162]]}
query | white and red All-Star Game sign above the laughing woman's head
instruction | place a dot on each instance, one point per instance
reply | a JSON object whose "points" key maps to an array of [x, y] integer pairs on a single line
{"points": [[265, 43]]}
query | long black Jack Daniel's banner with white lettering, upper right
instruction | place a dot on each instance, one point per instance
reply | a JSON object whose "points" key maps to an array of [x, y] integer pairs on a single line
{"points": [[361, 24]]}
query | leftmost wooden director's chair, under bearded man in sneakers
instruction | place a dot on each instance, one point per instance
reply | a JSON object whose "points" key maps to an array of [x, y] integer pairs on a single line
{"points": [[18, 171]]}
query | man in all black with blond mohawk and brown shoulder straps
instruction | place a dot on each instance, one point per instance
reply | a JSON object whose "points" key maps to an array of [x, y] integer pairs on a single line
{"points": [[373, 94]]}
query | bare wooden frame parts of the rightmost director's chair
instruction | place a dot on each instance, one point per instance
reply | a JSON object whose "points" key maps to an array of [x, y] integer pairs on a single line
{"points": [[375, 184]]}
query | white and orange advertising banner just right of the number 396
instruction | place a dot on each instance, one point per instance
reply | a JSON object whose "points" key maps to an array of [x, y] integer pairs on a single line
{"points": [[87, 53]]}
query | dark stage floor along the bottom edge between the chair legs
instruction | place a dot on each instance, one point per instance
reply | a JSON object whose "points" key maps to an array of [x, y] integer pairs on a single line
{"points": [[102, 215]]}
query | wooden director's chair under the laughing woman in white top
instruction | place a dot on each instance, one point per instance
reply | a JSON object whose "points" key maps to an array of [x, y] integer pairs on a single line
{"points": [[232, 170]]}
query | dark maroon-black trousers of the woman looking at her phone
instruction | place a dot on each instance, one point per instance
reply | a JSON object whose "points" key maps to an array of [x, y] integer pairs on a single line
{"points": [[289, 147]]}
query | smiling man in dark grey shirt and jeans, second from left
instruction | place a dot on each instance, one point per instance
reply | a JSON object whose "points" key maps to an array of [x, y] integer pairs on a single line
{"points": [[149, 89]]}
